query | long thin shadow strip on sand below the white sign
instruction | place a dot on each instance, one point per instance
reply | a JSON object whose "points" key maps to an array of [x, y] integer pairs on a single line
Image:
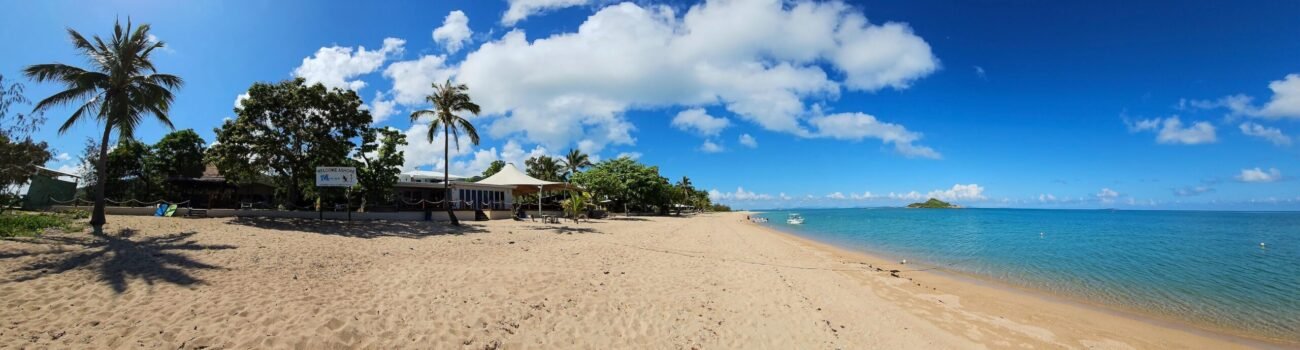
{"points": [[359, 230]]}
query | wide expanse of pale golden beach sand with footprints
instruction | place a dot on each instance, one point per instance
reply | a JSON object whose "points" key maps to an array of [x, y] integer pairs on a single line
{"points": [[709, 282]]}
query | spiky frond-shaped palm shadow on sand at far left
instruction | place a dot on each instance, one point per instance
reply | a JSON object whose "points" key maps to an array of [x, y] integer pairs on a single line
{"points": [[119, 258]]}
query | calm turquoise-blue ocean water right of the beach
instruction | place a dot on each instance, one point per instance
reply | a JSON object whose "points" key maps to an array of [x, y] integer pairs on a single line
{"points": [[1206, 269]]}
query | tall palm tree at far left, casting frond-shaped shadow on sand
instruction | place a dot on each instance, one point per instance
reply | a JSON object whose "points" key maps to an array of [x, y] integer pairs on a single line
{"points": [[120, 90]]}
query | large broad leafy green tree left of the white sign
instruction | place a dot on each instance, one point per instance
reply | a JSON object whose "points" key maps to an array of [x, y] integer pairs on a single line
{"points": [[288, 129]]}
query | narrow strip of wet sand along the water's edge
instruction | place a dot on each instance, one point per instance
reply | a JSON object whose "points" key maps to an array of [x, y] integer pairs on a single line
{"points": [[980, 287]]}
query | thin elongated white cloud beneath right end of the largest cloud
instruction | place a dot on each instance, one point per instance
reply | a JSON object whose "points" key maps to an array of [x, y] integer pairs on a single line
{"points": [[856, 127]]}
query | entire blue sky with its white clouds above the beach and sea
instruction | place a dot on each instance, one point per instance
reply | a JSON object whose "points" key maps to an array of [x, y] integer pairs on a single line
{"points": [[1041, 105]]}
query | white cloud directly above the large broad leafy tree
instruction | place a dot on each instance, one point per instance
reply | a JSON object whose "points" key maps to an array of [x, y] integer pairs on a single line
{"points": [[339, 67]]}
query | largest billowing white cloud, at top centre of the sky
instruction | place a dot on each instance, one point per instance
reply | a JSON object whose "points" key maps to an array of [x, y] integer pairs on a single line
{"points": [[760, 61]]}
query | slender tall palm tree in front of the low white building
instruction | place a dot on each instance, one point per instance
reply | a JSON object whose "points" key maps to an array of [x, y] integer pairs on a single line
{"points": [[448, 100]]}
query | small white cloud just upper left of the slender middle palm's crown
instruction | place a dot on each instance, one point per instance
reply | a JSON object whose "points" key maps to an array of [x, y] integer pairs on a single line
{"points": [[414, 80]]}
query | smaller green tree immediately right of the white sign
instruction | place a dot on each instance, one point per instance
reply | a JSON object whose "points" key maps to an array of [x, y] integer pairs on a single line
{"points": [[382, 158]]}
